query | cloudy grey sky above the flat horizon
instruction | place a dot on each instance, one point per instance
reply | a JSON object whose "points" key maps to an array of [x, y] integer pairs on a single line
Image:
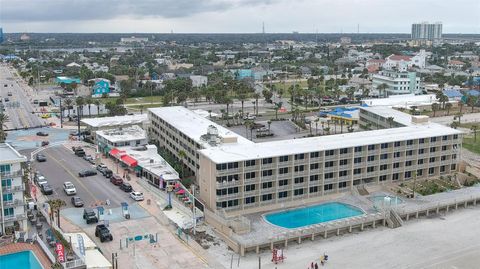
{"points": [[236, 16]]}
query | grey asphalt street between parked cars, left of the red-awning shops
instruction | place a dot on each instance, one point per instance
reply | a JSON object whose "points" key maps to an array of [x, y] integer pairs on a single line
{"points": [[62, 165]]}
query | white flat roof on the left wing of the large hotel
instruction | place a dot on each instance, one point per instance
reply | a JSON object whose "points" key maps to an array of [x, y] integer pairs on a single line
{"points": [[194, 125]]}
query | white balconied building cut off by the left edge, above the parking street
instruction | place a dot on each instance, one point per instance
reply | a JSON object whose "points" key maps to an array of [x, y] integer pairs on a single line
{"points": [[11, 199]]}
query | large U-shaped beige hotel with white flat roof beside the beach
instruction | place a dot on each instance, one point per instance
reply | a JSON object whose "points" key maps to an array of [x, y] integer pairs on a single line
{"points": [[240, 177]]}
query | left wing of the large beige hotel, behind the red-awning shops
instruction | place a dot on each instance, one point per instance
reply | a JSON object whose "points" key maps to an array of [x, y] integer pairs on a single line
{"points": [[181, 131]]}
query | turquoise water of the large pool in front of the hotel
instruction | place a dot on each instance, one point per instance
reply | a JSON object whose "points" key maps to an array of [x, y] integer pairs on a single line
{"points": [[312, 215]]}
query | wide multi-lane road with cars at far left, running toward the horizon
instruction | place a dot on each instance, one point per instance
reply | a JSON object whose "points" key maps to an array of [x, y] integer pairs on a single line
{"points": [[19, 107]]}
